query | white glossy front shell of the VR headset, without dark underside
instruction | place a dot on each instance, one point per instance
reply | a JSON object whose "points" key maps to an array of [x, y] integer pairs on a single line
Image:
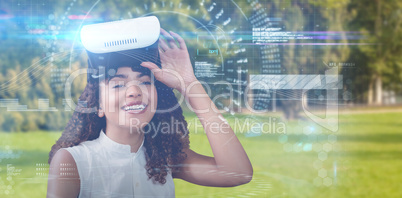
{"points": [[120, 35]]}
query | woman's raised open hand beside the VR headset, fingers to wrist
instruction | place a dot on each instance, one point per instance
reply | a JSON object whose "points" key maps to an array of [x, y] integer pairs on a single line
{"points": [[177, 71]]}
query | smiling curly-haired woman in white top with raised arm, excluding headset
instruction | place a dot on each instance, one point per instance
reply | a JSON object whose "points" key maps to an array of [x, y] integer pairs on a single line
{"points": [[138, 140]]}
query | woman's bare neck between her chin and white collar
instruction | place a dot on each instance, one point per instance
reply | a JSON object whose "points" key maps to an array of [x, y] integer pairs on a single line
{"points": [[123, 135]]}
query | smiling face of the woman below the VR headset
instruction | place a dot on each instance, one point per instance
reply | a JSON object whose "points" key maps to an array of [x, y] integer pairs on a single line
{"points": [[129, 99]]}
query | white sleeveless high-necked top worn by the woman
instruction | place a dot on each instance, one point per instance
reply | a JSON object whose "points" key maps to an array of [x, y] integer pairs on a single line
{"points": [[109, 169]]}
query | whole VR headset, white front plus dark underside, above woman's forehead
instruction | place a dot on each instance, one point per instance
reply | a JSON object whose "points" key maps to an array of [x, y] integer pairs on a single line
{"points": [[125, 42]]}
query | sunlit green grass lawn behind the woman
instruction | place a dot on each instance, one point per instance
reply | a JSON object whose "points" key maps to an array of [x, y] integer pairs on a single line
{"points": [[366, 156]]}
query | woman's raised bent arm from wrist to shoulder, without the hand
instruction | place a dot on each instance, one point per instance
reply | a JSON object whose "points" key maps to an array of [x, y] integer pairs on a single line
{"points": [[230, 165]]}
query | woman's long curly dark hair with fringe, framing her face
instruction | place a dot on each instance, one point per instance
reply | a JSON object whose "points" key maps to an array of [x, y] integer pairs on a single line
{"points": [[163, 150]]}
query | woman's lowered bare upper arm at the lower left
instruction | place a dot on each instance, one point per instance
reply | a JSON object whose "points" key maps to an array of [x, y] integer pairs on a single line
{"points": [[63, 178]]}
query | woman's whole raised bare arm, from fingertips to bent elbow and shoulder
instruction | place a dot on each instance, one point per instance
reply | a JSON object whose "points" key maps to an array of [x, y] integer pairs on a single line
{"points": [[230, 165]]}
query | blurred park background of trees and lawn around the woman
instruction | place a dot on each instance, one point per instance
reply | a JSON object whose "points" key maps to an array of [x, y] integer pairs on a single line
{"points": [[360, 157]]}
